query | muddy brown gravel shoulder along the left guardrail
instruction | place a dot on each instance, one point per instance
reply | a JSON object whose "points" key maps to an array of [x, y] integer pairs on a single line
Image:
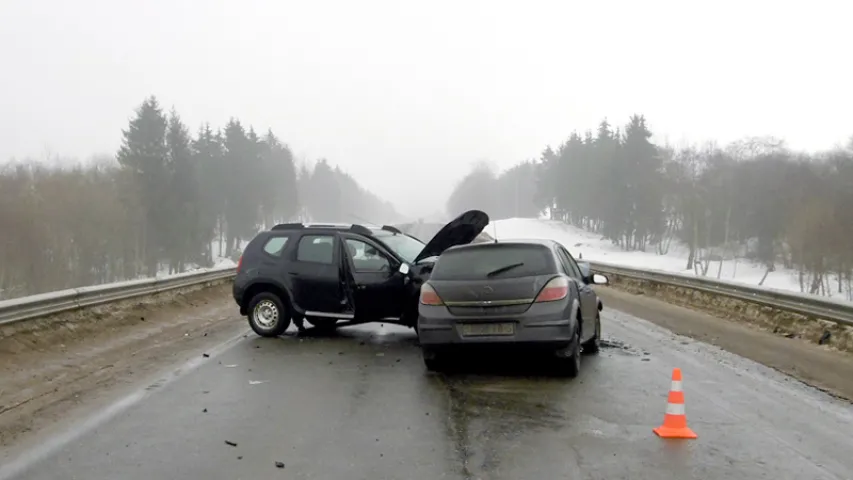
{"points": [[66, 368]]}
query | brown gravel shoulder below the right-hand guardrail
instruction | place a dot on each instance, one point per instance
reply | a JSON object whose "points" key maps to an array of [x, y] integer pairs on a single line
{"points": [[819, 366]]}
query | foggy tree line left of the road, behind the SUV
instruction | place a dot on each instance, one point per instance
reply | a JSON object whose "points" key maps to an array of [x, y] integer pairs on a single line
{"points": [[168, 200]]}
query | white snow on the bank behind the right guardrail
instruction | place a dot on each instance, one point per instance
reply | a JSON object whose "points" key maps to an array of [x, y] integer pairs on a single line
{"points": [[591, 246]]}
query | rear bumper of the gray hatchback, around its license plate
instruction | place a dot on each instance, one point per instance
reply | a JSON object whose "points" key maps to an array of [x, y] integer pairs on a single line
{"points": [[545, 326]]}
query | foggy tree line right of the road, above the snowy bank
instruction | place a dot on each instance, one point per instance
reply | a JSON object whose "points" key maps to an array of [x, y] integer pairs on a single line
{"points": [[754, 198]]}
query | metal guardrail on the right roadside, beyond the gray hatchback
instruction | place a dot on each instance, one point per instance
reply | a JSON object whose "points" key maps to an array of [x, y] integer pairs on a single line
{"points": [[837, 311]]}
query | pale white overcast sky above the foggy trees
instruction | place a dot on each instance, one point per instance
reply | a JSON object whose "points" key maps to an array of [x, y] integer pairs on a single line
{"points": [[406, 96]]}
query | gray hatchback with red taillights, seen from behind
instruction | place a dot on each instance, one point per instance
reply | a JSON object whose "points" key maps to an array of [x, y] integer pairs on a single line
{"points": [[529, 293]]}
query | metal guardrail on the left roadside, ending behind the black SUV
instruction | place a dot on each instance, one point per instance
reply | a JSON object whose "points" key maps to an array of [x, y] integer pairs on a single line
{"points": [[35, 306]]}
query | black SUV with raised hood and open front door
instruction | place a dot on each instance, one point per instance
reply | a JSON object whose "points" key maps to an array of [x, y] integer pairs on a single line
{"points": [[330, 272]]}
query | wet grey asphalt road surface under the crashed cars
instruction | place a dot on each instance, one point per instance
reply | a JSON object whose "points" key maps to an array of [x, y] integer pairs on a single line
{"points": [[361, 406]]}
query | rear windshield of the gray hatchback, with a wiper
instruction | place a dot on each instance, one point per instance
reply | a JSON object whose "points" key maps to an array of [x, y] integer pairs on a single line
{"points": [[494, 261]]}
